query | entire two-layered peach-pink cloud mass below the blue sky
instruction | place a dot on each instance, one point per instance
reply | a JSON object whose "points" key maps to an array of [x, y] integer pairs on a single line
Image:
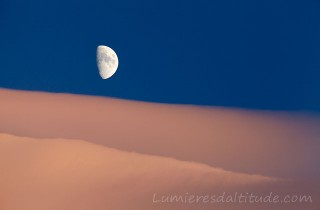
{"points": [[127, 151]]}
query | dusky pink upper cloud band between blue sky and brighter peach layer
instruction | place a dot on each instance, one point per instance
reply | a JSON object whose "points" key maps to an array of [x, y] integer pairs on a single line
{"points": [[273, 144]]}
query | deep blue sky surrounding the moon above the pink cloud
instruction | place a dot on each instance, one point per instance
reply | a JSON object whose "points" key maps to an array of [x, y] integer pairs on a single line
{"points": [[249, 53]]}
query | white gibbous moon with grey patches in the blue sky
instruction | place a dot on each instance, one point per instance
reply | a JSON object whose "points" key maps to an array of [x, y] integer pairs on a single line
{"points": [[107, 61]]}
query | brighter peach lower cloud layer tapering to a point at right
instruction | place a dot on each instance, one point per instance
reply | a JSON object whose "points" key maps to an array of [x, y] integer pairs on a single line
{"points": [[74, 174]]}
